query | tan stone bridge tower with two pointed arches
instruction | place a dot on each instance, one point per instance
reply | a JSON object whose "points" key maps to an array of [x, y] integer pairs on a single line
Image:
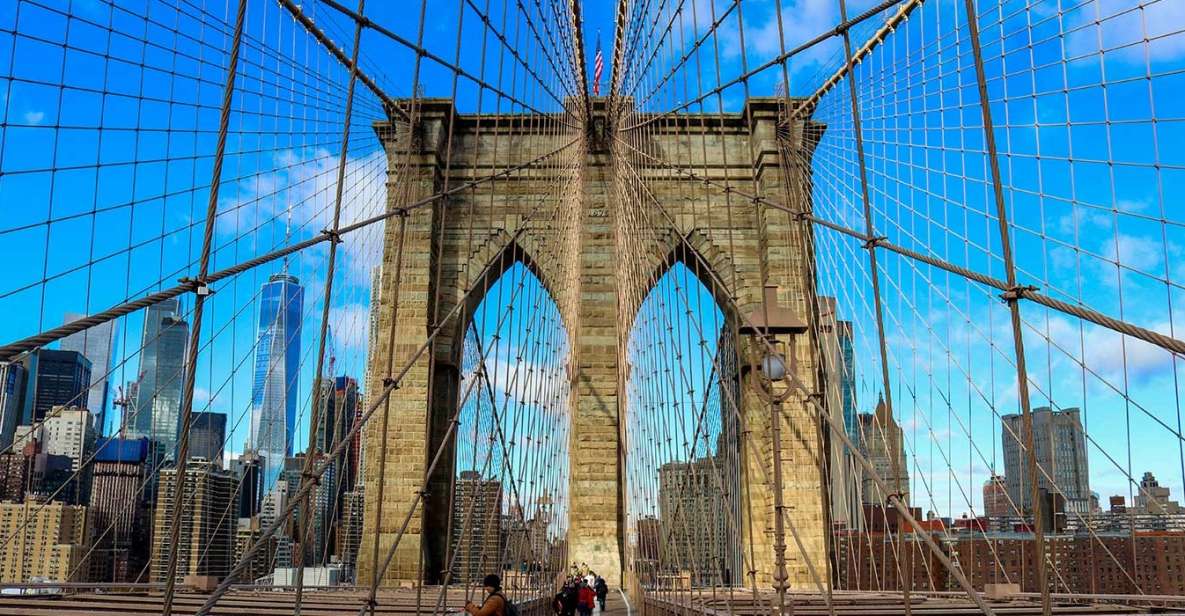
{"points": [[441, 259]]}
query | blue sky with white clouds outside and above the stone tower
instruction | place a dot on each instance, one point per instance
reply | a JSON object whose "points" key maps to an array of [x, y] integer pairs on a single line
{"points": [[105, 165]]}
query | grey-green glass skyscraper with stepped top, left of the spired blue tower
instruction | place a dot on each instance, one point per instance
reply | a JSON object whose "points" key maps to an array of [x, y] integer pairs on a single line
{"points": [[158, 406]]}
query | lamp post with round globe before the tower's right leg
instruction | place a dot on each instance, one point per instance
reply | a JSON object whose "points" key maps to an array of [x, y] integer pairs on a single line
{"points": [[768, 362]]}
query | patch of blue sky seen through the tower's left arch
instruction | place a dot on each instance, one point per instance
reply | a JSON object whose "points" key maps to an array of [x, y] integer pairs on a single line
{"points": [[520, 399]]}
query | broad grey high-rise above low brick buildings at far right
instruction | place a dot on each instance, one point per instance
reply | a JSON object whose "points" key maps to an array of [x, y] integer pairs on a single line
{"points": [[1061, 451]]}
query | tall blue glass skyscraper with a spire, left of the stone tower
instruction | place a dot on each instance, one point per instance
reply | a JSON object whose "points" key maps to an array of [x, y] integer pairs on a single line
{"points": [[277, 374]]}
